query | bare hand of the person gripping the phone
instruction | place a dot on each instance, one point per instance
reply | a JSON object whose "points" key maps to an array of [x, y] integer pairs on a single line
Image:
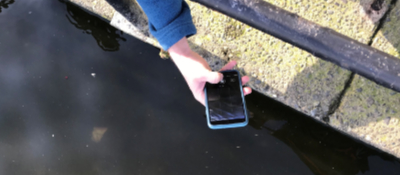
{"points": [[196, 70]]}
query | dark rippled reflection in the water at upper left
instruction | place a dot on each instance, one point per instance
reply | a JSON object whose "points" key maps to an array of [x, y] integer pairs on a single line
{"points": [[107, 37]]}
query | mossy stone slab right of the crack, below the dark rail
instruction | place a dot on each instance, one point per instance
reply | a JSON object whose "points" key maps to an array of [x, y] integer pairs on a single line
{"points": [[371, 113]]}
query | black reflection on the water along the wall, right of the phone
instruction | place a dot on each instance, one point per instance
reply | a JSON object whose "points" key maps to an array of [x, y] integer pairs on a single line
{"points": [[324, 150]]}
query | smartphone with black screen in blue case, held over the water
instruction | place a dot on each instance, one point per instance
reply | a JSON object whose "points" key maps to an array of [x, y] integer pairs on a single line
{"points": [[225, 103]]}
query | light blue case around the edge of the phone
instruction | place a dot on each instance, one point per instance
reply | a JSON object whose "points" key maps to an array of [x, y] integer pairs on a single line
{"points": [[234, 125]]}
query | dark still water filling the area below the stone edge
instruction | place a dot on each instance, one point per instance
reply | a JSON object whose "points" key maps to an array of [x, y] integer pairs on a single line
{"points": [[137, 116]]}
